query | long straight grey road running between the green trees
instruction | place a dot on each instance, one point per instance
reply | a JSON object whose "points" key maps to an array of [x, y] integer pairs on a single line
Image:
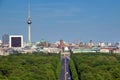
{"points": [[65, 70]]}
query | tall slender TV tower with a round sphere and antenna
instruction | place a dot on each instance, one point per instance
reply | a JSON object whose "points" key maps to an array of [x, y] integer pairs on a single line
{"points": [[29, 23]]}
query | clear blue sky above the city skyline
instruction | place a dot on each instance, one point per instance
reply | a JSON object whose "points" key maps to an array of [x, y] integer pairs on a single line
{"points": [[69, 20]]}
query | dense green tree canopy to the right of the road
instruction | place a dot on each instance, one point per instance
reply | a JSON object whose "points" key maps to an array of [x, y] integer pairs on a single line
{"points": [[97, 66]]}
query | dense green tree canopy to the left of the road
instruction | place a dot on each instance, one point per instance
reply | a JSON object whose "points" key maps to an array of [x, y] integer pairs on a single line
{"points": [[35, 66]]}
